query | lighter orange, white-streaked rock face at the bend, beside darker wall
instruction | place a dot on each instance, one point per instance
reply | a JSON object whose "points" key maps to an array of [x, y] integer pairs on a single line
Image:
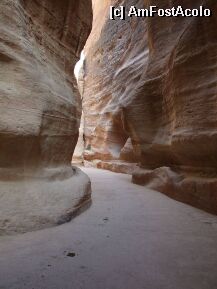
{"points": [[115, 56]]}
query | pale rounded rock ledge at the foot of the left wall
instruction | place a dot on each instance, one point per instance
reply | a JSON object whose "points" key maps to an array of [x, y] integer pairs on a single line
{"points": [[41, 201]]}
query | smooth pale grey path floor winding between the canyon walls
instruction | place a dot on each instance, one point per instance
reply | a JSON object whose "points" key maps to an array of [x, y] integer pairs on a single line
{"points": [[130, 237]]}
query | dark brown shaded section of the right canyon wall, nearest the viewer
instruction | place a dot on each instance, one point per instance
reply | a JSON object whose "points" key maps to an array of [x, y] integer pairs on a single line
{"points": [[177, 104]]}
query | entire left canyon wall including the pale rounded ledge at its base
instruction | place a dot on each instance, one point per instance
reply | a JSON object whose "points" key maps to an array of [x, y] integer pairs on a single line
{"points": [[40, 110]]}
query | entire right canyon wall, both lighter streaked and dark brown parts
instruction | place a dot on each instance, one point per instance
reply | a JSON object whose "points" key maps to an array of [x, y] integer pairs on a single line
{"points": [[153, 80]]}
